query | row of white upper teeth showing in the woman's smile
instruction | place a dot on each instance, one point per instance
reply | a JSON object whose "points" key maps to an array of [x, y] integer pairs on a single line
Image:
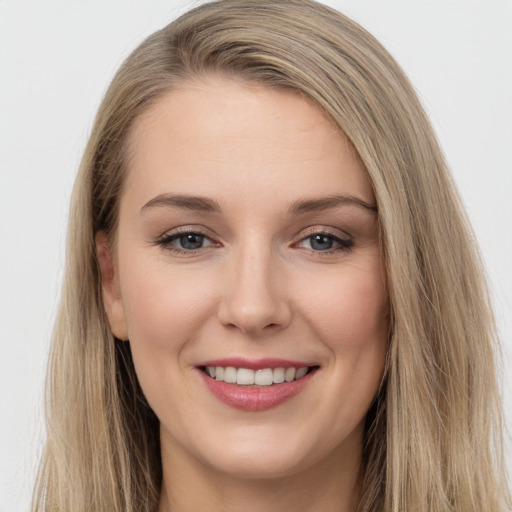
{"points": [[263, 377]]}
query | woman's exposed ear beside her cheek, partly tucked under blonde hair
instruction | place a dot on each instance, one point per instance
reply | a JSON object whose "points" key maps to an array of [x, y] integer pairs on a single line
{"points": [[110, 287]]}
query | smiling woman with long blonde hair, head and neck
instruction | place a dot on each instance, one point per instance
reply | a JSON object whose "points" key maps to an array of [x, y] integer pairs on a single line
{"points": [[275, 290]]}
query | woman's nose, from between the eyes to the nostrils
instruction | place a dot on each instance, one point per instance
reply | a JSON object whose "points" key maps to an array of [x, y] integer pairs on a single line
{"points": [[254, 295]]}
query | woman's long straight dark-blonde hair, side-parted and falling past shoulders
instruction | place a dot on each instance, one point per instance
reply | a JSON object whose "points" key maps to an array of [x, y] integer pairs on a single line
{"points": [[434, 430]]}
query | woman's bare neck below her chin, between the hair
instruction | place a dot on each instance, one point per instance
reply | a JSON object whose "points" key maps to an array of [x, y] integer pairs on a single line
{"points": [[332, 485]]}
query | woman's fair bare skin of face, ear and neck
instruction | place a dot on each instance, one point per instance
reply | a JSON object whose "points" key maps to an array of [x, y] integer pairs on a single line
{"points": [[256, 288]]}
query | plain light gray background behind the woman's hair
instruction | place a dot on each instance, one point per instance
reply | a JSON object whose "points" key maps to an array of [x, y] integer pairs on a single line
{"points": [[56, 59]]}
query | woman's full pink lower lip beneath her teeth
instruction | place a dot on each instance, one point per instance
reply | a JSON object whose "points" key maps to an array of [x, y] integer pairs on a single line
{"points": [[255, 398]]}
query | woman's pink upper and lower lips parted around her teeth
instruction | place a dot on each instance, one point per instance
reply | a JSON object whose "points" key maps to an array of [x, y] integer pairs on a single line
{"points": [[255, 398]]}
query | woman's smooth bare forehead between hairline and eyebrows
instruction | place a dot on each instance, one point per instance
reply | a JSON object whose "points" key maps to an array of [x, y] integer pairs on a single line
{"points": [[221, 135]]}
